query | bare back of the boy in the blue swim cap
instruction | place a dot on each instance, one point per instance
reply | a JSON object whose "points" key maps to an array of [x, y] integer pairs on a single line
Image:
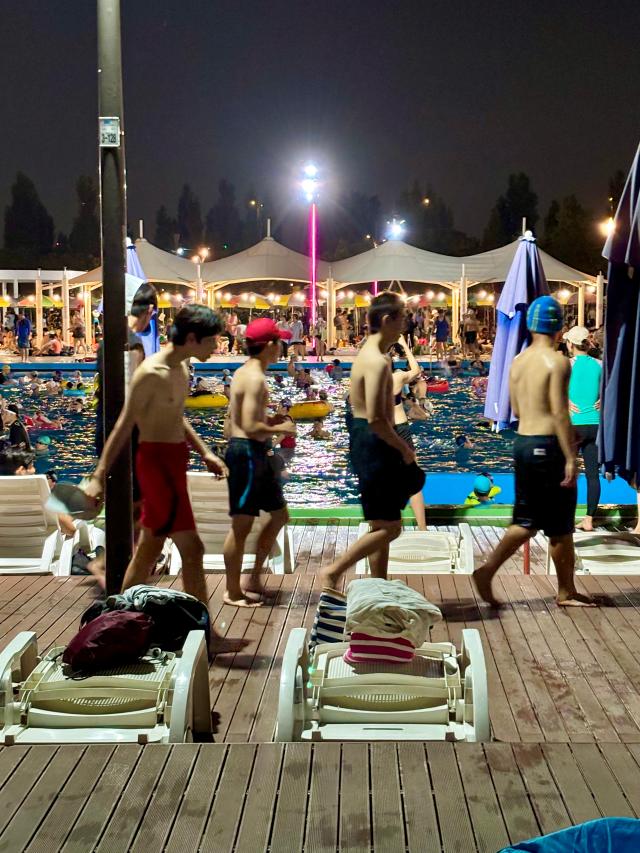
{"points": [[538, 383]]}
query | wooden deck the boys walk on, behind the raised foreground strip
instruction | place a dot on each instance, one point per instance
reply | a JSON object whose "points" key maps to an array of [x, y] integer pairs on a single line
{"points": [[554, 676]]}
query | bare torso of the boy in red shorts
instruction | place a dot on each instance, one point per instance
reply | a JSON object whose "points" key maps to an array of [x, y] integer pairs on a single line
{"points": [[156, 399]]}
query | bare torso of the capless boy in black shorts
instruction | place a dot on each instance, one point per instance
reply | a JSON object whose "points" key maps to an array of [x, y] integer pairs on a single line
{"points": [[371, 375]]}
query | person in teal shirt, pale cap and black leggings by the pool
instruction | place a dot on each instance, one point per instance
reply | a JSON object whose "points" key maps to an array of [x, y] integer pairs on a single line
{"points": [[584, 408]]}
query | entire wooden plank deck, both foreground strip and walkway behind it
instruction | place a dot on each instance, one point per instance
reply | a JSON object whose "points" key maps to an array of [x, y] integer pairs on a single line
{"points": [[564, 690]]}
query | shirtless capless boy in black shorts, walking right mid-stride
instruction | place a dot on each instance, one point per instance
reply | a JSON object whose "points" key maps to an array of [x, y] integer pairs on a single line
{"points": [[383, 461]]}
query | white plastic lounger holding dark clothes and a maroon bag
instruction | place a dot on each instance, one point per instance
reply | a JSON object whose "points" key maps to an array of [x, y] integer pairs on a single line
{"points": [[162, 699]]}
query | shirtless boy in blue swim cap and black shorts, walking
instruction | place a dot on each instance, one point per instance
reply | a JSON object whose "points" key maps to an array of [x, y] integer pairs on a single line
{"points": [[544, 456]]}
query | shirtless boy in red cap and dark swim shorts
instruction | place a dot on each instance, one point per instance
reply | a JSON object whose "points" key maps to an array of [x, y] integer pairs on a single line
{"points": [[254, 485]]}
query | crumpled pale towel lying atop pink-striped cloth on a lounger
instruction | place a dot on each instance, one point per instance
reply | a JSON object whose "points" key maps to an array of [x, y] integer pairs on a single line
{"points": [[389, 609]]}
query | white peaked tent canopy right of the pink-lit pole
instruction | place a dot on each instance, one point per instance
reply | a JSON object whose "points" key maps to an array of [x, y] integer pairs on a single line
{"points": [[396, 260]]}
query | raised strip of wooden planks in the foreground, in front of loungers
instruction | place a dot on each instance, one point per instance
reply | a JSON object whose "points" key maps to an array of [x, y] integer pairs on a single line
{"points": [[321, 798]]}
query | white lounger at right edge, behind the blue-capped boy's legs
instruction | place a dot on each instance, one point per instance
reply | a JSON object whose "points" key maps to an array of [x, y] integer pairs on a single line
{"points": [[603, 552]]}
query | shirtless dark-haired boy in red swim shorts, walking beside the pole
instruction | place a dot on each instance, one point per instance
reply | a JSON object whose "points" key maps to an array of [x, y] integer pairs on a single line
{"points": [[155, 404]]}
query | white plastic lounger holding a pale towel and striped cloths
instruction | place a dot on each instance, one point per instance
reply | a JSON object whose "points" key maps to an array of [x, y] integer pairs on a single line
{"points": [[440, 695]]}
